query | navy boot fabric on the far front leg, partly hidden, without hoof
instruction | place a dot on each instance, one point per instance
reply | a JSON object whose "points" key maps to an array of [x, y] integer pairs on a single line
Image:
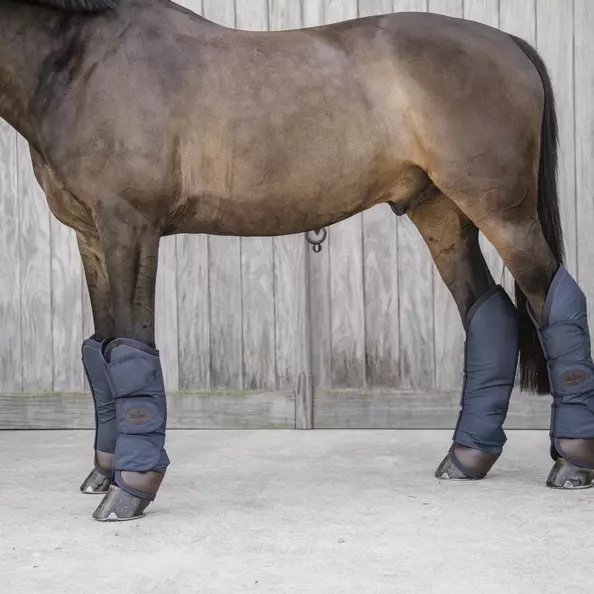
{"points": [[106, 432]]}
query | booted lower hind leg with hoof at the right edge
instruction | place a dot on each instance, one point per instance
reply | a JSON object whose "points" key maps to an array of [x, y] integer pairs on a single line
{"points": [[565, 340]]}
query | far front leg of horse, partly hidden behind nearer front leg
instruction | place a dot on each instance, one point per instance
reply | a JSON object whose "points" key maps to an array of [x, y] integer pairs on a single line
{"points": [[100, 478]]}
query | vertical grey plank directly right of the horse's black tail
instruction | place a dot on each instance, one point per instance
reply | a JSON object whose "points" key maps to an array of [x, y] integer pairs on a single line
{"points": [[554, 28]]}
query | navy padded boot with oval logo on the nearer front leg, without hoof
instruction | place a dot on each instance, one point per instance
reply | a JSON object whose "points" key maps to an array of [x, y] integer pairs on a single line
{"points": [[136, 379]]}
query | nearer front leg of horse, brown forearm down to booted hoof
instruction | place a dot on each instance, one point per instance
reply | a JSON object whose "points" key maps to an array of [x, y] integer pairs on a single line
{"points": [[132, 366]]}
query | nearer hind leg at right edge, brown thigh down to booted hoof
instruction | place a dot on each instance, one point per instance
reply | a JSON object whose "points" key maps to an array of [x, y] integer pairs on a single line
{"points": [[558, 310]]}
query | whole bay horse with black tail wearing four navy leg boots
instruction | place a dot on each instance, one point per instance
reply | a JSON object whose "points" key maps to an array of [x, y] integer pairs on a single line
{"points": [[145, 120]]}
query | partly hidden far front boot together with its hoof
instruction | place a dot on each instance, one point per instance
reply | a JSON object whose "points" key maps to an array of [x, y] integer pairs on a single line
{"points": [[106, 431]]}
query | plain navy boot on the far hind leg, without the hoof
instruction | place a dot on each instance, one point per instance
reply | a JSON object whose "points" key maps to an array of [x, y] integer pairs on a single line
{"points": [[490, 361]]}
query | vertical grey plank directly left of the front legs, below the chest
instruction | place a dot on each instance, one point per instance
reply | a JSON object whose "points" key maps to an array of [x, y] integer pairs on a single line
{"points": [[66, 281]]}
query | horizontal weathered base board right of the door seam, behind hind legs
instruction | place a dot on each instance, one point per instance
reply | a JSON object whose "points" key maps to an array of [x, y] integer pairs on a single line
{"points": [[400, 409]]}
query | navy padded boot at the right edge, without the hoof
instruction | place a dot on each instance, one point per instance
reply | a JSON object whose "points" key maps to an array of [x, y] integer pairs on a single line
{"points": [[565, 341]]}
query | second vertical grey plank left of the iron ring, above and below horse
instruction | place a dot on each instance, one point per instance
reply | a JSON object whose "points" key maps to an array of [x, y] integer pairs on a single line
{"points": [[257, 270]]}
